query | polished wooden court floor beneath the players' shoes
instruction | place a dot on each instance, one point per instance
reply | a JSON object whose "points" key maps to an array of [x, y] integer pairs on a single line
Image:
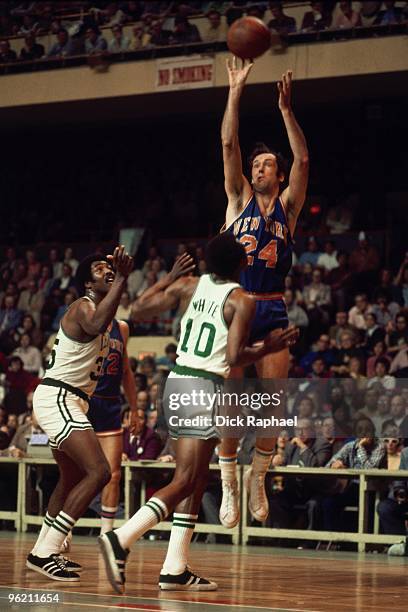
{"points": [[250, 579]]}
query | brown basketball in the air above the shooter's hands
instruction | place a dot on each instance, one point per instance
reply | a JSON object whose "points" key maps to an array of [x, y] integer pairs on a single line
{"points": [[248, 38]]}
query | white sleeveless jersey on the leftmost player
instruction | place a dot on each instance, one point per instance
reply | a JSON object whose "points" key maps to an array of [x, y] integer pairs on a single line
{"points": [[77, 363]]}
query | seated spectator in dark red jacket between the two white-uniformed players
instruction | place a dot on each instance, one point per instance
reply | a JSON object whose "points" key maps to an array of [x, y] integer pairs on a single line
{"points": [[139, 440]]}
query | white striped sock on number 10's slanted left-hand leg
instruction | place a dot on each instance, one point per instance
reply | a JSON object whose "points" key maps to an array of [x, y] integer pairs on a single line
{"points": [[153, 512]]}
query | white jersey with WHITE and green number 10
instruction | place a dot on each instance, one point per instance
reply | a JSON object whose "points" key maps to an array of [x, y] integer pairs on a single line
{"points": [[203, 338]]}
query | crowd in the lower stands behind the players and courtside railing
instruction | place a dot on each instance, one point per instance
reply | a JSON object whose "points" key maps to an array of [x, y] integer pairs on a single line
{"points": [[351, 361]]}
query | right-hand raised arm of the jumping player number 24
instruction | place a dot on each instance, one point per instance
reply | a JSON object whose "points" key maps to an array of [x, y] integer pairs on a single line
{"points": [[293, 197]]}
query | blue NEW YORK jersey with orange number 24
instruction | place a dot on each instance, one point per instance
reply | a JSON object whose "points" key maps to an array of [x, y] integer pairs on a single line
{"points": [[268, 245]]}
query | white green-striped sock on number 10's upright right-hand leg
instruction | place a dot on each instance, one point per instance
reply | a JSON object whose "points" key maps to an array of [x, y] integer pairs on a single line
{"points": [[180, 537]]}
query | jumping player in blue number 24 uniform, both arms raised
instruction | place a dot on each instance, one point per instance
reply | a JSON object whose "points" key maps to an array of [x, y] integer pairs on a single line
{"points": [[263, 218]]}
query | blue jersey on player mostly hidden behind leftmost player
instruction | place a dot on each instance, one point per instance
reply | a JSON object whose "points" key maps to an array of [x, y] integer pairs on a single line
{"points": [[112, 370]]}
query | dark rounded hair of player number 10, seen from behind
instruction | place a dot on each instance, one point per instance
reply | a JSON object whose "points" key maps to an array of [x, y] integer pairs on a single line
{"points": [[224, 255]]}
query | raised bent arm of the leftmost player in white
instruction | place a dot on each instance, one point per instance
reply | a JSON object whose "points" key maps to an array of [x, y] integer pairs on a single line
{"points": [[94, 319]]}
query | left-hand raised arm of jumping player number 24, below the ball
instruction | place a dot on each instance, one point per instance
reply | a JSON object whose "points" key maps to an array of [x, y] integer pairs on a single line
{"points": [[237, 188]]}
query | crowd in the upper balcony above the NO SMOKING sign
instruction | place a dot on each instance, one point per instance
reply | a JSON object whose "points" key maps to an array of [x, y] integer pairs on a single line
{"points": [[98, 28]]}
